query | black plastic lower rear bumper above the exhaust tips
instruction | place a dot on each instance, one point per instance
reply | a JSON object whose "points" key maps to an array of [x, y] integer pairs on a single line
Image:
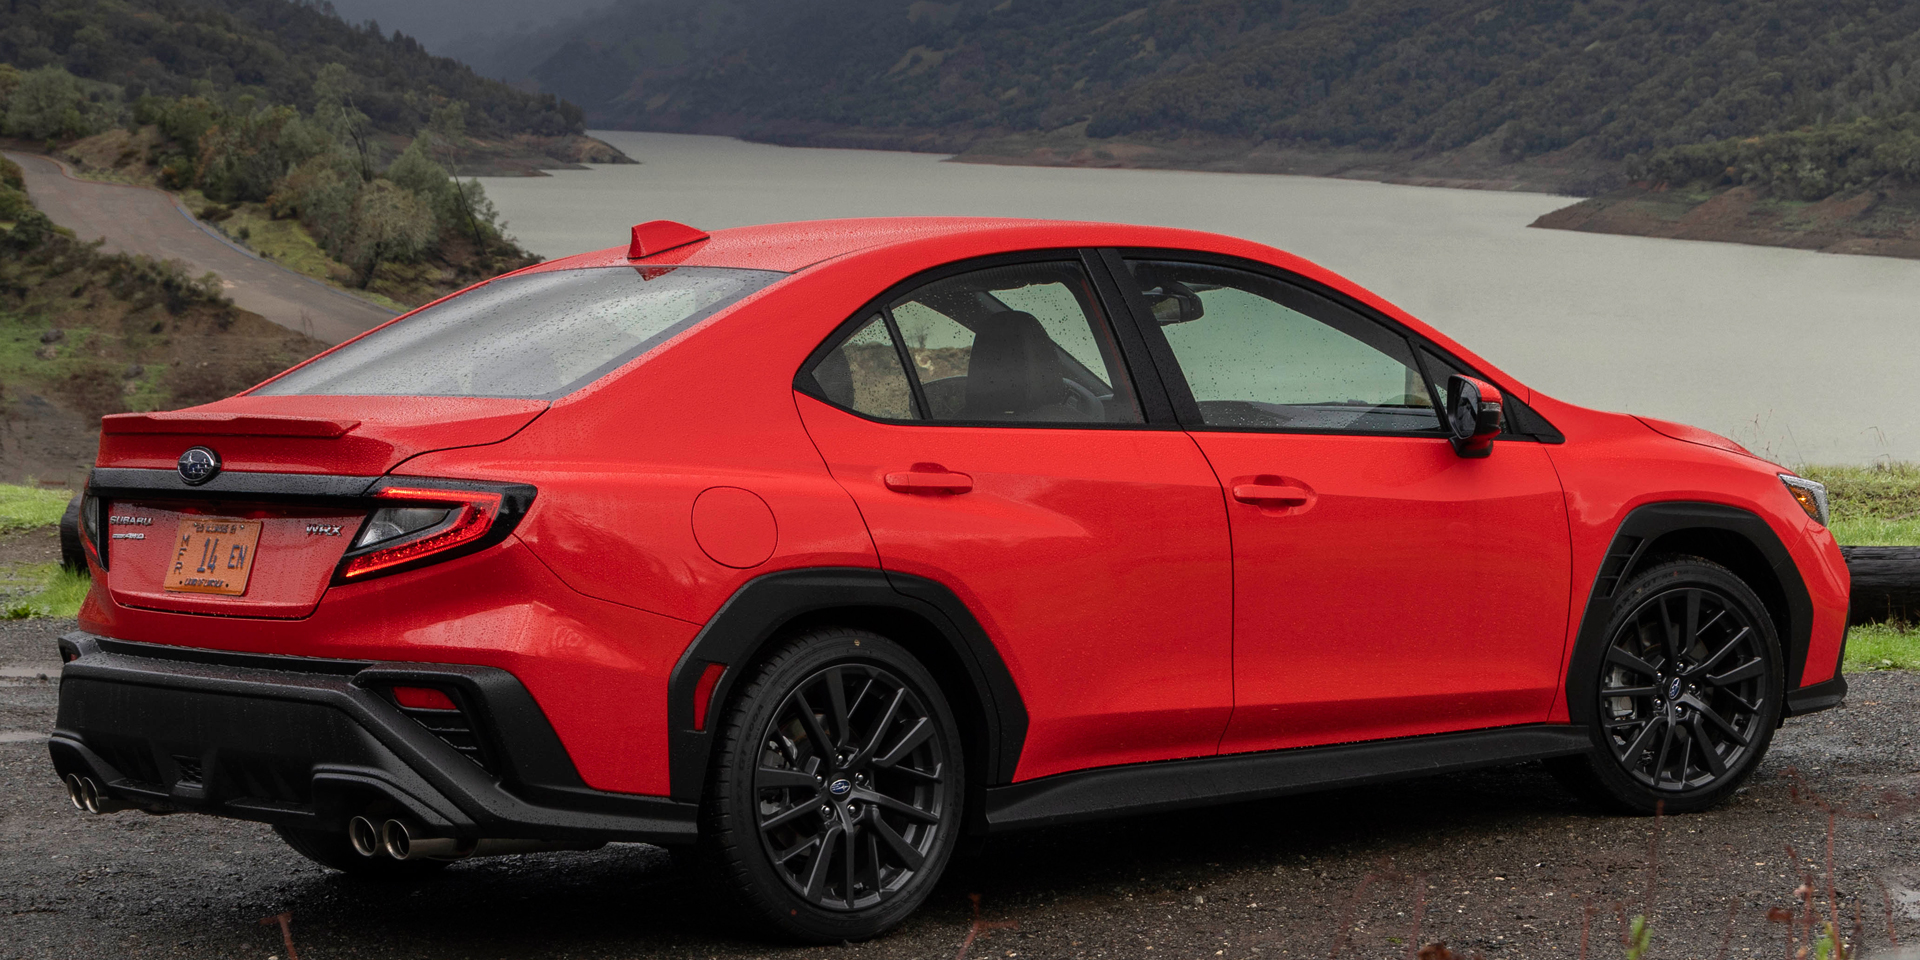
{"points": [[304, 742]]}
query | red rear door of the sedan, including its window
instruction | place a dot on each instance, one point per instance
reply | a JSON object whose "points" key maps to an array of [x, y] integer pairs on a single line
{"points": [[986, 423]]}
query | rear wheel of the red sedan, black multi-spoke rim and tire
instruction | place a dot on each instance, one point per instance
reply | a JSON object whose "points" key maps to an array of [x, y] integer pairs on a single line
{"points": [[886, 792]]}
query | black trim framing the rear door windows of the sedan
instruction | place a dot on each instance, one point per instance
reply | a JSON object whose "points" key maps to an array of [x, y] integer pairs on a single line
{"points": [[1157, 410]]}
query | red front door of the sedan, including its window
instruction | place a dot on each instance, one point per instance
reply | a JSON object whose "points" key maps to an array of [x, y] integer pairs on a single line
{"points": [[1383, 585]]}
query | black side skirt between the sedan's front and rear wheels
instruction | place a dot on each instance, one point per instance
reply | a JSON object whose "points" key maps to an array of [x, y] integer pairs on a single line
{"points": [[1251, 777]]}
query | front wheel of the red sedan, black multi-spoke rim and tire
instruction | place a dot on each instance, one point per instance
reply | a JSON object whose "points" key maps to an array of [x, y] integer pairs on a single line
{"points": [[1685, 627]]}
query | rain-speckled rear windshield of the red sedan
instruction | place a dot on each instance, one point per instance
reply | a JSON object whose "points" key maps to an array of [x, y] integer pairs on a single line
{"points": [[540, 335]]}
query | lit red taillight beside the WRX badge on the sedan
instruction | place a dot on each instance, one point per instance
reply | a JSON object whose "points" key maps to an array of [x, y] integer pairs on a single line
{"points": [[420, 523]]}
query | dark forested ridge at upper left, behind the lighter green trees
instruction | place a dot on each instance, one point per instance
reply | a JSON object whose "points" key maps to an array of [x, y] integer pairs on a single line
{"points": [[270, 49]]}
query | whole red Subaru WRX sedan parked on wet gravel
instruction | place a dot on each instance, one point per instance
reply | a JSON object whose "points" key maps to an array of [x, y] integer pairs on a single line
{"points": [[811, 548]]}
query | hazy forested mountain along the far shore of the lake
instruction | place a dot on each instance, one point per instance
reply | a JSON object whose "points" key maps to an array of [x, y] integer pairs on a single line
{"points": [[1604, 78]]}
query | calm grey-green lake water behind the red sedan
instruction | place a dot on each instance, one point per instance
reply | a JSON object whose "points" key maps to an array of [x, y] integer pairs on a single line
{"points": [[1806, 358]]}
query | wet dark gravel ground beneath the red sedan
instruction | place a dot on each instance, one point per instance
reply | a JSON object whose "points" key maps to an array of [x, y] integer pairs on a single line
{"points": [[1510, 865]]}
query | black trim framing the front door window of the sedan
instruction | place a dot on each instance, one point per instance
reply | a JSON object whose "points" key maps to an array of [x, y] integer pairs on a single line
{"points": [[1174, 379]]}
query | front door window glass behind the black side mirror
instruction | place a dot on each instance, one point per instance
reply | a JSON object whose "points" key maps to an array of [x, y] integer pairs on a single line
{"points": [[1266, 354]]}
